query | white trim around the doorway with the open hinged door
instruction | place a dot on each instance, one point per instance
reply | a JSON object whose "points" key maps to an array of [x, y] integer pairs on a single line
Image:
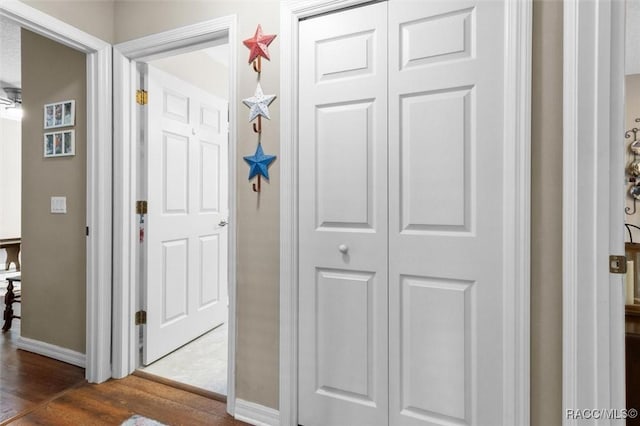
{"points": [[125, 233]]}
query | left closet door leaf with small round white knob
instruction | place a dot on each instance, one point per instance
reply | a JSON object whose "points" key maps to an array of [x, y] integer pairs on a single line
{"points": [[343, 370]]}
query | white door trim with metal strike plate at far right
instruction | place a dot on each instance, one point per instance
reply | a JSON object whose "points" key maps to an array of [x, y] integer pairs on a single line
{"points": [[593, 201]]}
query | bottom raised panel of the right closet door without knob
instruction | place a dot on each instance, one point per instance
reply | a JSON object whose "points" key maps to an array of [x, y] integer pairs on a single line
{"points": [[435, 346]]}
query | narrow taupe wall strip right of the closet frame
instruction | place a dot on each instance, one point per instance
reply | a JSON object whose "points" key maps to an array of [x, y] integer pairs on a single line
{"points": [[546, 215]]}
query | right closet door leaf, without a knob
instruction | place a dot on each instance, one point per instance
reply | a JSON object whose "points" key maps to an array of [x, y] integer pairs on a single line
{"points": [[446, 212]]}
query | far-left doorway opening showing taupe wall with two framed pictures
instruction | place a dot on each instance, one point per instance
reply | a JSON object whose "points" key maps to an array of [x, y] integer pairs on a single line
{"points": [[44, 193]]}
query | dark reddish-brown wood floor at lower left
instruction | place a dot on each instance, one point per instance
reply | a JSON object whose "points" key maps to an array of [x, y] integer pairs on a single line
{"points": [[36, 390]]}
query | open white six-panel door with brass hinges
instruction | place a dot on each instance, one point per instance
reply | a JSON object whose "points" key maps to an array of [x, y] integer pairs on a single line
{"points": [[187, 192]]}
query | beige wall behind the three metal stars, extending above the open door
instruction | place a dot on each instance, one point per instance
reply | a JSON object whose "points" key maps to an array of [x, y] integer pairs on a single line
{"points": [[258, 215]]}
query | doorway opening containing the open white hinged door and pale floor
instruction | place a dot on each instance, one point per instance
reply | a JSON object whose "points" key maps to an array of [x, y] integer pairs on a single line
{"points": [[185, 339]]}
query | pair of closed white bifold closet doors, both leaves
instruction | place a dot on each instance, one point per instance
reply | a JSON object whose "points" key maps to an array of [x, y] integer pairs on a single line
{"points": [[401, 295]]}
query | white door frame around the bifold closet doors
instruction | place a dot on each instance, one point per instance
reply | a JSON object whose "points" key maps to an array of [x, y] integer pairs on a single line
{"points": [[517, 196]]}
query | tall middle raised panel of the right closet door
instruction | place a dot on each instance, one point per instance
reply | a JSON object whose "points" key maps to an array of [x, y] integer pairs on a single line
{"points": [[434, 145]]}
